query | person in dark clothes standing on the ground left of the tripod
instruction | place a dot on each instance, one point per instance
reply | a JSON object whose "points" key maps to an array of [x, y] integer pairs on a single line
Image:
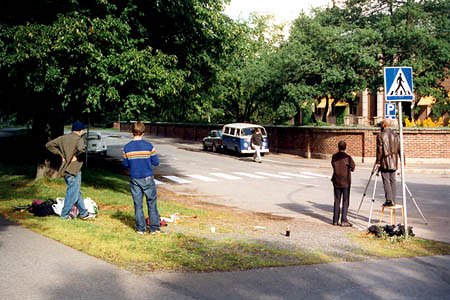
{"points": [[342, 164]]}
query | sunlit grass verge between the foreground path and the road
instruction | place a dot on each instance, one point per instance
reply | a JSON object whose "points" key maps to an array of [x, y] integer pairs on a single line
{"points": [[187, 245]]}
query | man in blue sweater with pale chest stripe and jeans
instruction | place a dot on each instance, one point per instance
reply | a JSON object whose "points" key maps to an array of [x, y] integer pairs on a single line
{"points": [[139, 156]]}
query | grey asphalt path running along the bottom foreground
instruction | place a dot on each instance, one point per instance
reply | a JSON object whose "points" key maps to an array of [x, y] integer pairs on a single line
{"points": [[35, 267]]}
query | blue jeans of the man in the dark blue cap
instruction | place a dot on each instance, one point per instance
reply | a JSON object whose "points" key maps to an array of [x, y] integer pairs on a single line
{"points": [[73, 196]]}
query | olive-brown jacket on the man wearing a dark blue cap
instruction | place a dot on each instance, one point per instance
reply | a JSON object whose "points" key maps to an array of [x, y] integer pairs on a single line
{"points": [[68, 146]]}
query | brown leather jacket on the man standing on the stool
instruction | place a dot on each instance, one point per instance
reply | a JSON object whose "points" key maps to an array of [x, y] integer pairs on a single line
{"points": [[388, 150]]}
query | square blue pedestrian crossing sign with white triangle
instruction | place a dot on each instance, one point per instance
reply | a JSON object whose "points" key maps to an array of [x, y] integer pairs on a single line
{"points": [[398, 84]]}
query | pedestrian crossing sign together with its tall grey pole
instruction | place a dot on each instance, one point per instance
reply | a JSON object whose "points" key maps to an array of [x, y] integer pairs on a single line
{"points": [[398, 87]]}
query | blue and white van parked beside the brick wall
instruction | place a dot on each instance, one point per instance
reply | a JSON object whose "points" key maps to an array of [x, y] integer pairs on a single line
{"points": [[236, 137]]}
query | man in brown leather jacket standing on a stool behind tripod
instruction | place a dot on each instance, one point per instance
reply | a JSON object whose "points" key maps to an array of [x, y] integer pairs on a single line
{"points": [[388, 151]]}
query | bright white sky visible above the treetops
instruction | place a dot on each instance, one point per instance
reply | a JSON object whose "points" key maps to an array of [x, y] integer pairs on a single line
{"points": [[283, 10]]}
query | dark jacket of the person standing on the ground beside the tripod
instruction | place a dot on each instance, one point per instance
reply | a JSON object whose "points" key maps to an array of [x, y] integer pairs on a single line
{"points": [[342, 164]]}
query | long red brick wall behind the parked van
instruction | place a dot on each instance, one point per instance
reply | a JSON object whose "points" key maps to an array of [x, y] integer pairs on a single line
{"points": [[321, 142]]}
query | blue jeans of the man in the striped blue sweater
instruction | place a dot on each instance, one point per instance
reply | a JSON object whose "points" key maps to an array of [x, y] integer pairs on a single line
{"points": [[140, 187]]}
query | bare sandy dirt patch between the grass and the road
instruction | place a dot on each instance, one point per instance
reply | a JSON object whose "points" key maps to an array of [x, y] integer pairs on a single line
{"points": [[222, 222]]}
